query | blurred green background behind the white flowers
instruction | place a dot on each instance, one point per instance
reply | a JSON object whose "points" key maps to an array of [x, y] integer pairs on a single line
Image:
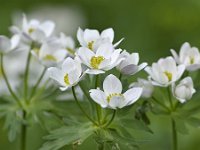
{"points": [[150, 27]]}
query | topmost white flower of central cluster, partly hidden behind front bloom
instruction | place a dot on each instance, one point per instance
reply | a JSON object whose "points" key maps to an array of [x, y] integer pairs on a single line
{"points": [[92, 39]]}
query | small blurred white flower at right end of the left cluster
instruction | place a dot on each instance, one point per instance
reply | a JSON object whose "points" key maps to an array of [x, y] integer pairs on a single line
{"points": [[68, 44]]}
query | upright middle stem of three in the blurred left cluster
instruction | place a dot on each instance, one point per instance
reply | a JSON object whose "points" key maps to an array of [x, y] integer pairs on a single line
{"points": [[26, 73]]}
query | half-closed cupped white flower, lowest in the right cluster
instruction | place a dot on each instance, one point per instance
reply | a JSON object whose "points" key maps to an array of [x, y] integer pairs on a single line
{"points": [[184, 90]]}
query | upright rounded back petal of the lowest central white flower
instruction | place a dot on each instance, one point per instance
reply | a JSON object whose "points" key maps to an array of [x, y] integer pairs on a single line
{"points": [[112, 85]]}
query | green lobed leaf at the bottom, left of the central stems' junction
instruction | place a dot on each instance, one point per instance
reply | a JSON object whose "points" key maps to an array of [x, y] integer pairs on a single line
{"points": [[68, 135]]}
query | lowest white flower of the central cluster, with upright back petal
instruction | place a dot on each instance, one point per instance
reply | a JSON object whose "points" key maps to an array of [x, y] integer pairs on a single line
{"points": [[112, 96]]}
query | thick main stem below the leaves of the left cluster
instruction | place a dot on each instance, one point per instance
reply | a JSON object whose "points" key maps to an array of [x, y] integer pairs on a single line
{"points": [[23, 133]]}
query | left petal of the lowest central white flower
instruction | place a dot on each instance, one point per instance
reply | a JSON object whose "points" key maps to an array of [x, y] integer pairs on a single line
{"points": [[99, 97]]}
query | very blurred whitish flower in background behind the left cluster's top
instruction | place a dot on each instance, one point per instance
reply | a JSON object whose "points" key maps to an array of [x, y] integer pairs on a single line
{"points": [[67, 17]]}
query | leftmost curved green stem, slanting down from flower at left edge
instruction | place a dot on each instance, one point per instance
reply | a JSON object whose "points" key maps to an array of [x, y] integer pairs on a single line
{"points": [[8, 84]]}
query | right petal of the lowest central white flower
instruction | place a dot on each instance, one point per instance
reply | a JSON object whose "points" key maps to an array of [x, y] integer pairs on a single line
{"points": [[132, 95]]}
